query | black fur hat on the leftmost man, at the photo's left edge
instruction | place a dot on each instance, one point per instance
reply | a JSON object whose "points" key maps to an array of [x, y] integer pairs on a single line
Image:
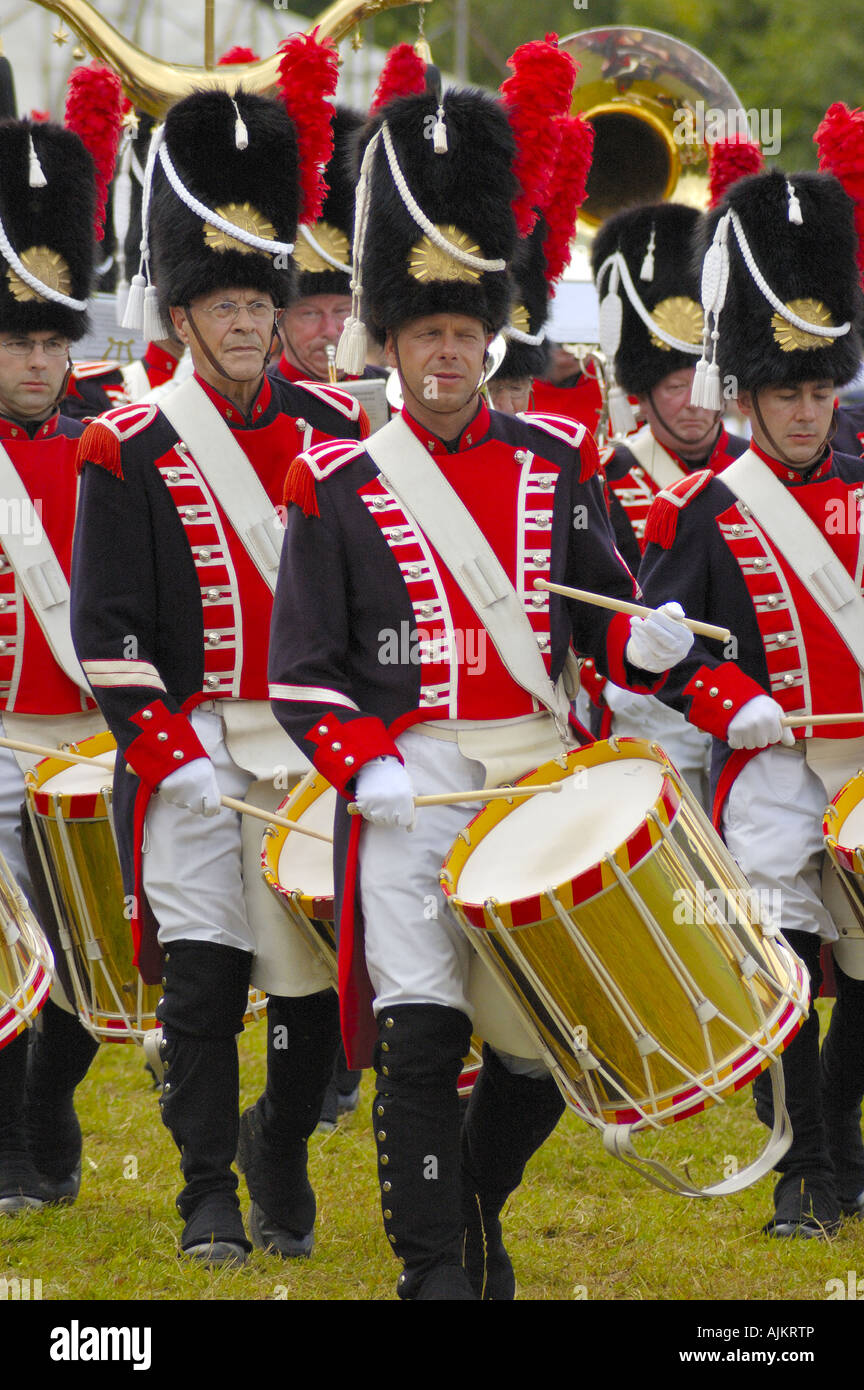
{"points": [[48, 198]]}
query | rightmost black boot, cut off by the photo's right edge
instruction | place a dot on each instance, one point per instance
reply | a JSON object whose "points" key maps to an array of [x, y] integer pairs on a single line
{"points": [[842, 1063]]}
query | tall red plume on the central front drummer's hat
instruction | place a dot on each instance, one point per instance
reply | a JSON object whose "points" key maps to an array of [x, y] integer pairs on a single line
{"points": [[540, 91]]}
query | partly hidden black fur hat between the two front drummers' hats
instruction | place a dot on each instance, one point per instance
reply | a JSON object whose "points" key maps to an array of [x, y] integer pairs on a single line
{"points": [[335, 229]]}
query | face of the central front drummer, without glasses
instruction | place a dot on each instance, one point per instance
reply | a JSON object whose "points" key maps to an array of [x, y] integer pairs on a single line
{"points": [[440, 359]]}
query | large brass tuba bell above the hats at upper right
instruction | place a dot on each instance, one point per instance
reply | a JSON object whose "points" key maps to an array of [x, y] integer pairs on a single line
{"points": [[651, 101]]}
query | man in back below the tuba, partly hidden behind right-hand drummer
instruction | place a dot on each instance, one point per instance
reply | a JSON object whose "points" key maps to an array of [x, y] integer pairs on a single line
{"points": [[647, 252]]}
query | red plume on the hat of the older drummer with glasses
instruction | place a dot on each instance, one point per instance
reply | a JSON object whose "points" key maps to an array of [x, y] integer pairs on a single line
{"points": [[309, 73]]}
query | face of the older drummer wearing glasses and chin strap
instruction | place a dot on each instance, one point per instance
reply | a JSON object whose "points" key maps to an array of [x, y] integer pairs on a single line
{"points": [[240, 343]]}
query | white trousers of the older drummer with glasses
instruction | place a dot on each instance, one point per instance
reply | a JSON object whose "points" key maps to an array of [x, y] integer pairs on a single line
{"points": [[203, 876]]}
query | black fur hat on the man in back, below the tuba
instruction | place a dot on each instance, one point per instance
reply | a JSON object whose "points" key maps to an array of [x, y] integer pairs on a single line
{"points": [[656, 243]]}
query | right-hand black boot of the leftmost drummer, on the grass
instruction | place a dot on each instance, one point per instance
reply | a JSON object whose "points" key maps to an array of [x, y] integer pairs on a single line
{"points": [[60, 1056]]}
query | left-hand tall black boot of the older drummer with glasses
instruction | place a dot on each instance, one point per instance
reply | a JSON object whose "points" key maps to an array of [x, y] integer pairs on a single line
{"points": [[202, 1013]]}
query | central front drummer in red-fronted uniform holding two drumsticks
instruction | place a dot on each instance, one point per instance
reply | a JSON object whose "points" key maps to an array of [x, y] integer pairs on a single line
{"points": [[388, 701]]}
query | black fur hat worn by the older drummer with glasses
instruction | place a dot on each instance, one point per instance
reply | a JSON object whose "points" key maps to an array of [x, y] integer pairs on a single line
{"points": [[238, 156]]}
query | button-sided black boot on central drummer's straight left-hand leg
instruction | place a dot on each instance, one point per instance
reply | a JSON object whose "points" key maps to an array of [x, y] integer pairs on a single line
{"points": [[416, 1117]]}
